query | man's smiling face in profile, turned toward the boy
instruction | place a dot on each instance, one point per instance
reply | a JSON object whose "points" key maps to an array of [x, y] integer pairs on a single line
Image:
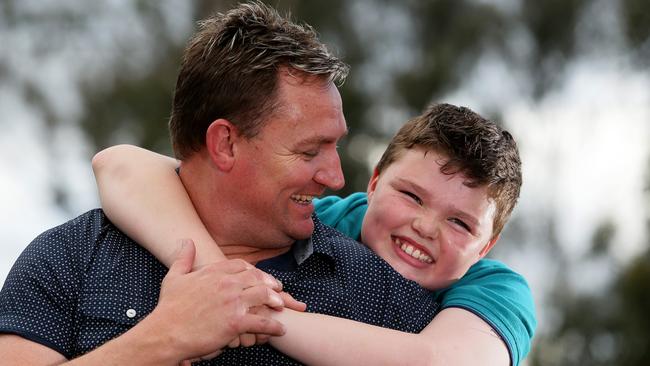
{"points": [[291, 160]]}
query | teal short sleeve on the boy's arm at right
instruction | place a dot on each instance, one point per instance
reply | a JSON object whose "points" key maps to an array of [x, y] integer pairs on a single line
{"points": [[502, 298]]}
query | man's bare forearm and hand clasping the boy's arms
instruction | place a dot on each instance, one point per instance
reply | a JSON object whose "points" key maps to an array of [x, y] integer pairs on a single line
{"points": [[198, 313]]}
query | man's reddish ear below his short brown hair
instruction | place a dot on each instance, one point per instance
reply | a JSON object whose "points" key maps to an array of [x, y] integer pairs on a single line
{"points": [[219, 140]]}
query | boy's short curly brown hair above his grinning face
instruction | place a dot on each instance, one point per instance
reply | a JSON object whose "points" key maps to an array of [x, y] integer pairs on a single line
{"points": [[474, 146]]}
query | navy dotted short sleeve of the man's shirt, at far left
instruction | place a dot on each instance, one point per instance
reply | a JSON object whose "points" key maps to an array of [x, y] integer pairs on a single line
{"points": [[39, 297]]}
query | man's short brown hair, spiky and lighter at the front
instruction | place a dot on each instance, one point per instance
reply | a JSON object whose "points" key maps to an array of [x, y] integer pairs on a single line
{"points": [[230, 71]]}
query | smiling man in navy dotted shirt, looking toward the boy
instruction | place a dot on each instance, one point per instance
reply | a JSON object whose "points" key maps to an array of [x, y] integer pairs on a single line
{"points": [[256, 119]]}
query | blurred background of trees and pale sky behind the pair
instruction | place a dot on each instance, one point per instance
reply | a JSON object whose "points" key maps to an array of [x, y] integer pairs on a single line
{"points": [[569, 78]]}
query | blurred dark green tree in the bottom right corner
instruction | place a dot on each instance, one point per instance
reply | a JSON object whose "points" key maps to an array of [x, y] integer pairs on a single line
{"points": [[609, 327]]}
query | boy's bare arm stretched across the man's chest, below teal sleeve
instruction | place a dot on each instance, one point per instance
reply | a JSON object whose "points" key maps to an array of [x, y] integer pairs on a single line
{"points": [[454, 337]]}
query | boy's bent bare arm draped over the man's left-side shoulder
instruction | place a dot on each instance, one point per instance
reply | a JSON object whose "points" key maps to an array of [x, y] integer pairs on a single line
{"points": [[143, 196]]}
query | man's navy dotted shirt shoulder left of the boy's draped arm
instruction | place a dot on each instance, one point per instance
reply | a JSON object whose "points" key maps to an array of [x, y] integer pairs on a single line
{"points": [[69, 288]]}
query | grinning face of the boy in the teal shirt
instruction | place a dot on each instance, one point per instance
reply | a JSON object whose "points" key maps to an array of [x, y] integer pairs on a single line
{"points": [[428, 226]]}
